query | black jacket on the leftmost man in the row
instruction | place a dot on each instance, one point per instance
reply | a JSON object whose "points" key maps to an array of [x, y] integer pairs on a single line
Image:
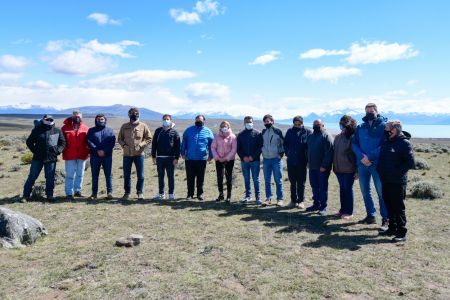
{"points": [[46, 143]]}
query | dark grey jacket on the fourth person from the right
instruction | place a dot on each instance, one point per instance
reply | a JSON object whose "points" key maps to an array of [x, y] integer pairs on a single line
{"points": [[320, 150]]}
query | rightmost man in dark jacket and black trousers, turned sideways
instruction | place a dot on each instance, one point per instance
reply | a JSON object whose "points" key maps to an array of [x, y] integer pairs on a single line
{"points": [[396, 158]]}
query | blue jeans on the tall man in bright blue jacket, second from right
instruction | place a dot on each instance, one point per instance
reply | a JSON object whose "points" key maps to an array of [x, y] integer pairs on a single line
{"points": [[364, 183]]}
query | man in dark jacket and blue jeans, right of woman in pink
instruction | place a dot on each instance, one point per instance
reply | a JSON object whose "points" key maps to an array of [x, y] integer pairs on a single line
{"points": [[249, 145]]}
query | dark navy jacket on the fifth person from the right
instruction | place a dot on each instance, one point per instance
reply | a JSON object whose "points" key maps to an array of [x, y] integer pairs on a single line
{"points": [[295, 146]]}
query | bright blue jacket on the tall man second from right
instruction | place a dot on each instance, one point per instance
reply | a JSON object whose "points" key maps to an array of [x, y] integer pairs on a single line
{"points": [[368, 138]]}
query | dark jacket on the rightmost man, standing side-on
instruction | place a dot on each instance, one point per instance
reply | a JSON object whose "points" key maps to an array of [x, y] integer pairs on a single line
{"points": [[396, 158]]}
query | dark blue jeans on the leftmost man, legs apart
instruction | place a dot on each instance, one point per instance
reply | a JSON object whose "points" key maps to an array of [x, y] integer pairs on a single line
{"points": [[35, 170]]}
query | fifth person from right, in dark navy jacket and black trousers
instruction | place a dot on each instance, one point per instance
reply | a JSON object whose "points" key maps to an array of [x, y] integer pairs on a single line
{"points": [[295, 147]]}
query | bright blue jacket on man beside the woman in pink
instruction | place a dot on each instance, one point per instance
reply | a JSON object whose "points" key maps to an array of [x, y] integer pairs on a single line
{"points": [[196, 144]]}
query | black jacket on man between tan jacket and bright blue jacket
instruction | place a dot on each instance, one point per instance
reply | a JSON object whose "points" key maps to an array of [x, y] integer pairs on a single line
{"points": [[166, 143]]}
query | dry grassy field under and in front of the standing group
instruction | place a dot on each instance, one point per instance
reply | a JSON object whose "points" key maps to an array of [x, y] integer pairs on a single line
{"points": [[213, 250]]}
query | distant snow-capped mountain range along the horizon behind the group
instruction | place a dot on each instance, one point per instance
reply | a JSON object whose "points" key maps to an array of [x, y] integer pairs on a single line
{"points": [[119, 110]]}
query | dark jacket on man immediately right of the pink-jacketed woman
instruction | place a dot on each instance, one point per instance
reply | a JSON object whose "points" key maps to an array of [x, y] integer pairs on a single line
{"points": [[249, 143]]}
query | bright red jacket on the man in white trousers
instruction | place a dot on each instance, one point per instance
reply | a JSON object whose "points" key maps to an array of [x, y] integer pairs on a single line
{"points": [[76, 144]]}
